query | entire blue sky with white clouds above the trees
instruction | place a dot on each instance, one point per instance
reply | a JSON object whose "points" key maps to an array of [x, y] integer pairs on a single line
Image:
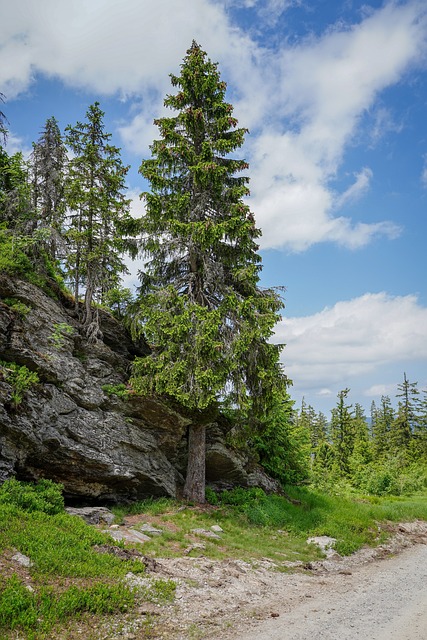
{"points": [[334, 94]]}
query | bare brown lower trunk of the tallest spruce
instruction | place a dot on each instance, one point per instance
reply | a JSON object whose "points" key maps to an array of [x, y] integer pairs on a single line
{"points": [[194, 489]]}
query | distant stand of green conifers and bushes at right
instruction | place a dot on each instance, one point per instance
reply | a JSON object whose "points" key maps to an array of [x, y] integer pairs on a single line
{"points": [[387, 457]]}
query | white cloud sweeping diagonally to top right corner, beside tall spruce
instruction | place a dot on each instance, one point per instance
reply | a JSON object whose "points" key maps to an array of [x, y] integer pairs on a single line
{"points": [[324, 86]]}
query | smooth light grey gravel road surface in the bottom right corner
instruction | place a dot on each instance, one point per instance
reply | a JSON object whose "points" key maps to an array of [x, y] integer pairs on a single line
{"points": [[384, 600]]}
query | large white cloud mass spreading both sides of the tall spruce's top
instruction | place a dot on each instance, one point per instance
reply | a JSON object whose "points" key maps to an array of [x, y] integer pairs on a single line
{"points": [[303, 103]]}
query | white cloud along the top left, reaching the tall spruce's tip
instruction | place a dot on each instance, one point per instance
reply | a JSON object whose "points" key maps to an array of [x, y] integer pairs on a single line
{"points": [[104, 45]]}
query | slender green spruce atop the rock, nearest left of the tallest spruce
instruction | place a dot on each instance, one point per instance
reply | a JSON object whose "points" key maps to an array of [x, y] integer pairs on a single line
{"points": [[99, 214]]}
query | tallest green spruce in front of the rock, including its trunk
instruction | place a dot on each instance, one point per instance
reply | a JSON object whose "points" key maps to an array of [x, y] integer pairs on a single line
{"points": [[201, 306]]}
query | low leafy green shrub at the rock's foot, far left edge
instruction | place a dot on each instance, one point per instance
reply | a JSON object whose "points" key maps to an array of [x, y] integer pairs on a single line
{"points": [[45, 495]]}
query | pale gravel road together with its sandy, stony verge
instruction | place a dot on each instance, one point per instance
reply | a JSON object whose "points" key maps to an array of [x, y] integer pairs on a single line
{"points": [[375, 594]]}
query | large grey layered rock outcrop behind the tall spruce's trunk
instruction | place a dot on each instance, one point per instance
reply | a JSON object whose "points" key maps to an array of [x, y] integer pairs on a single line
{"points": [[69, 429]]}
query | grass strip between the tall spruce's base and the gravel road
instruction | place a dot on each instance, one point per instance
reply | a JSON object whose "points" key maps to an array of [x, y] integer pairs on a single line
{"points": [[256, 525]]}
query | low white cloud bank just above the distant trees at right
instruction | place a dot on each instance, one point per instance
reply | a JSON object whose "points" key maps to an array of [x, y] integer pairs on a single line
{"points": [[353, 338]]}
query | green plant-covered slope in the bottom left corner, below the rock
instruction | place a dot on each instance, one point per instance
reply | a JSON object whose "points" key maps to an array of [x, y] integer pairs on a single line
{"points": [[68, 580]]}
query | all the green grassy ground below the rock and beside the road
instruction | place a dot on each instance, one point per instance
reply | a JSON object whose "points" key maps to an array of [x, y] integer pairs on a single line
{"points": [[70, 589]]}
